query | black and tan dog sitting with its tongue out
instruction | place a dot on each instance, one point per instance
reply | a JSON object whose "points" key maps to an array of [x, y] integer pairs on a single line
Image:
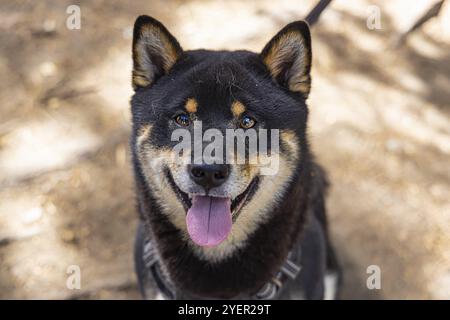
{"points": [[225, 230]]}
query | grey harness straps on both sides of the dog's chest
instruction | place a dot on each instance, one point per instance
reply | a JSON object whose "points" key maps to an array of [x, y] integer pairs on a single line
{"points": [[289, 271]]}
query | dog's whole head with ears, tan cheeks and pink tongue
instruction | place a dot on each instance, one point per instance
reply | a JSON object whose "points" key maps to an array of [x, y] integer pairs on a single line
{"points": [[217, 202]]}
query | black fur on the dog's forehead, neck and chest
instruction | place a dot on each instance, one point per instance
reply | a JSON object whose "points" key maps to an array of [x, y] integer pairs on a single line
{"points": [[215, 79]]}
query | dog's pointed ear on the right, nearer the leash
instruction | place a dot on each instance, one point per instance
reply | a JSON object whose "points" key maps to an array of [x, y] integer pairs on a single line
{"points": [[288, 57]]}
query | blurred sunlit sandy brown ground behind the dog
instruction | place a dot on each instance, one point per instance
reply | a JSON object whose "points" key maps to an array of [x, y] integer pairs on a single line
{"points": [[380, 124]]}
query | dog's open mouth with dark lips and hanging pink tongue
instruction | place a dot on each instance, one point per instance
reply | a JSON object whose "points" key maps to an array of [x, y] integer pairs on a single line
{"points": [[209, 219]]}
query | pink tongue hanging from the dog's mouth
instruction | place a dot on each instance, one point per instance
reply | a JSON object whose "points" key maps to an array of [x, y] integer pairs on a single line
{"points": [[209, 220]]}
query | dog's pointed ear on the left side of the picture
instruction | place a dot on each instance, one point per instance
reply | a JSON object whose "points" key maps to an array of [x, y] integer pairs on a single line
{"points": [[155, 51]]}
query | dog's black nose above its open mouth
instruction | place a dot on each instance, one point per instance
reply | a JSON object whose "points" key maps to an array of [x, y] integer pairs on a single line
{"points": [[209, 175]]}
